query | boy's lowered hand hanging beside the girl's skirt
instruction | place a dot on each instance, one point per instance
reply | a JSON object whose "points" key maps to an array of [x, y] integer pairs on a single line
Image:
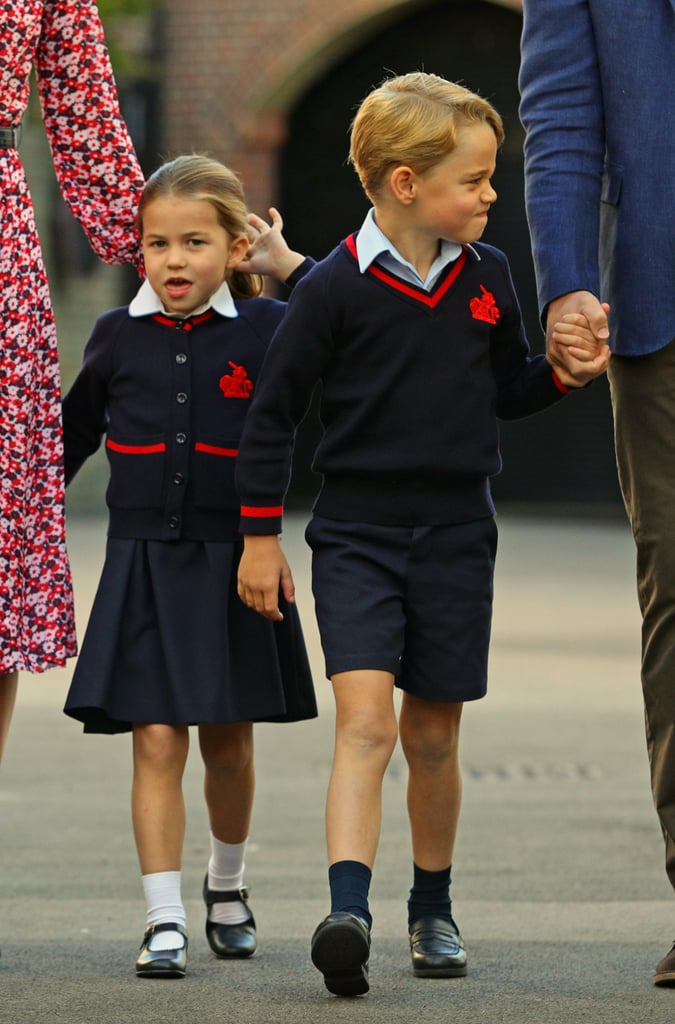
{"points": [[263, 573]]}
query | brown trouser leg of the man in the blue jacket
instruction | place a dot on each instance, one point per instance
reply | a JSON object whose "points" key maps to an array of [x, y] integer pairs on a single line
{"points": [[644, 401]]}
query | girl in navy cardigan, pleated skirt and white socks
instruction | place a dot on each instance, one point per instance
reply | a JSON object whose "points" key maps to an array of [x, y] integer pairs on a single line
{"points": [[168, 380]]}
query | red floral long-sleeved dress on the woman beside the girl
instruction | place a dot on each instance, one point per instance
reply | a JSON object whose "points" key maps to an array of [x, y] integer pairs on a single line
{"points": [[101, 181]]}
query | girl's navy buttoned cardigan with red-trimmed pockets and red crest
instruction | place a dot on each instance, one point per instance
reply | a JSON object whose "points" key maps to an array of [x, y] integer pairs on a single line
{"points": [[172, 397]]}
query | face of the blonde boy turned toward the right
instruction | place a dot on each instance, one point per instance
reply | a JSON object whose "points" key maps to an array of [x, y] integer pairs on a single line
{"points": [[452, 199]]}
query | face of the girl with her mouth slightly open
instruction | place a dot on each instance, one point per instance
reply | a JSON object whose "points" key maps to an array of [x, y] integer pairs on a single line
{"points": [[187, 252]]}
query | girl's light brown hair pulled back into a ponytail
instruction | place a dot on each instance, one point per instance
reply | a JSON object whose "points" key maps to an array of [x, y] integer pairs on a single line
{"points": [[200, 178]]}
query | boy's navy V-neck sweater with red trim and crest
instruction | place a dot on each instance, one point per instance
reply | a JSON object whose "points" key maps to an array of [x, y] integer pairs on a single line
{"points": [[413, 383]]}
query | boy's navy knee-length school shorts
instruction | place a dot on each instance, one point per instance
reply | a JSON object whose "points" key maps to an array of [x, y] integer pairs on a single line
{"points": [[415, 602]]}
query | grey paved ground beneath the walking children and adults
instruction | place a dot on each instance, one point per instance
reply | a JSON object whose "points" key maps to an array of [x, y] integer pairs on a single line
{"points": [[560, 887]]}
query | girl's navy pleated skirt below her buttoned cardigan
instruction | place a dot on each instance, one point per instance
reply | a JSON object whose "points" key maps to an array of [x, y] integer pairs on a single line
{"points": [[170, 642]]}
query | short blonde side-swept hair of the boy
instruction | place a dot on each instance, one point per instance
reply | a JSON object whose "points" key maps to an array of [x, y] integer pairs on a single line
{"points": [[413, 120]]}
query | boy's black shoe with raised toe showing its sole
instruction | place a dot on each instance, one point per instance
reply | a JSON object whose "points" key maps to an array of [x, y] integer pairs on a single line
{"points": [[341, 950]]}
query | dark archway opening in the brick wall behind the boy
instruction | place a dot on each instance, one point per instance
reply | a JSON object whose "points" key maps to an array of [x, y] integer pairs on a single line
{"points": [[562, 458]]}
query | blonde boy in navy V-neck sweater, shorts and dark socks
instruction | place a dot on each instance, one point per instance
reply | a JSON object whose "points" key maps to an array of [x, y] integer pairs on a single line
{"points": [[413, 329]]}
